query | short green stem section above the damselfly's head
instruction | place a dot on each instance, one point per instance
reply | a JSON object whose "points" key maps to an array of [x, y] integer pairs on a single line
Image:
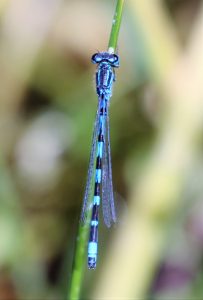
{"points": [[116, 26]]}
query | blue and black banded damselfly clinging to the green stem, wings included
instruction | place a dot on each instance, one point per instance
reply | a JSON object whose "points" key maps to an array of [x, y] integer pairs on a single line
{"points": [[99, 178]]}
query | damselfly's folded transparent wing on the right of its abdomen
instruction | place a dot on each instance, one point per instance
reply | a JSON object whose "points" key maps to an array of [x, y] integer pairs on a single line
{"points": [[108, 207]]}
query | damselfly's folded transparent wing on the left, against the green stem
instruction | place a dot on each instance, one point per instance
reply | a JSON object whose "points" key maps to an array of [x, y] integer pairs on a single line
{"points": [[91, 167]]}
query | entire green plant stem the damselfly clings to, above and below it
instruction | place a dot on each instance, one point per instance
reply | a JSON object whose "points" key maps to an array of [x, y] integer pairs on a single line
{"points": [[83, 231]]}
